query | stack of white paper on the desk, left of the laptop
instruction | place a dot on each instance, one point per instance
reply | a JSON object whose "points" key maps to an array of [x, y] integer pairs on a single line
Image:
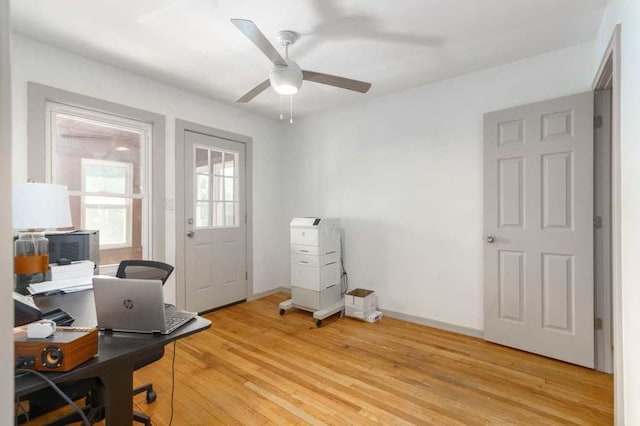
{"points": [[66, 278]]}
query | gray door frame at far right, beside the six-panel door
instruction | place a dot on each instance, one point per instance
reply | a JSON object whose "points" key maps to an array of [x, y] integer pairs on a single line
{"points": [[609, 70]]}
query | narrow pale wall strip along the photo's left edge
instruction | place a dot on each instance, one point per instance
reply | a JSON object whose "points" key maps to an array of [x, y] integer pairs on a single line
{"points": [[6, 247]]}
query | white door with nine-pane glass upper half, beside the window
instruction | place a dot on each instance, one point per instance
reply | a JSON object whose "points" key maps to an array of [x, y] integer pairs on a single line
{"points": [[215, 244]]}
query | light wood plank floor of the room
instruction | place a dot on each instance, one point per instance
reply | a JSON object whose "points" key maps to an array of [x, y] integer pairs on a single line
{"points": [[255, 367]]}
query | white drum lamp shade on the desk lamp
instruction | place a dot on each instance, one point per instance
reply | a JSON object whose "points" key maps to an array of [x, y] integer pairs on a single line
{"points": [[40, 206]]}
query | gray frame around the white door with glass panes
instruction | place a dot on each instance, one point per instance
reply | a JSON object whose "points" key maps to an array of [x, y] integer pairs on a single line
{"points": [[181, 229]]}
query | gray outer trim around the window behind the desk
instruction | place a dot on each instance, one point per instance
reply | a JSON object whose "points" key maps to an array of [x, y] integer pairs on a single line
{"points": [[39, 94]]}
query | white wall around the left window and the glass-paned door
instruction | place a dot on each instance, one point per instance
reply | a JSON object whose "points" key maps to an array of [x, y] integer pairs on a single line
{"points": [[34, 61]]}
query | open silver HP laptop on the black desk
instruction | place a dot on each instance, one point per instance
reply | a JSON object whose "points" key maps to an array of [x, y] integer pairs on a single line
{"points": [[135, 305]]}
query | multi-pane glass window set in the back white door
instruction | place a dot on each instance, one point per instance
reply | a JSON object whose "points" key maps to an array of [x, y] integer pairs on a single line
{"points": [[216, 181]]}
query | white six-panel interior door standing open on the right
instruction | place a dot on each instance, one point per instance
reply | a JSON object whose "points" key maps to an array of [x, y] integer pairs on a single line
{"points": [[538, 223]]}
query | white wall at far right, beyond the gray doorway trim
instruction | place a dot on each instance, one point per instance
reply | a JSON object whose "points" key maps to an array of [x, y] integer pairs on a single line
{"points": [[627, 12]]}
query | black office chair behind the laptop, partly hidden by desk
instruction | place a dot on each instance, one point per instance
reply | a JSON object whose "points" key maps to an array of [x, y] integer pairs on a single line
{"points": [[146, 270]]}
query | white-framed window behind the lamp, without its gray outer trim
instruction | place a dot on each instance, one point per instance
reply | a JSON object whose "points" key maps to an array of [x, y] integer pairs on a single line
{"points": [[103, 160]]}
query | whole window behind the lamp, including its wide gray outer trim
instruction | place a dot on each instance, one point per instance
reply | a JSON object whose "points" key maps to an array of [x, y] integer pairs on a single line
{"points": [[66, 127]]}
